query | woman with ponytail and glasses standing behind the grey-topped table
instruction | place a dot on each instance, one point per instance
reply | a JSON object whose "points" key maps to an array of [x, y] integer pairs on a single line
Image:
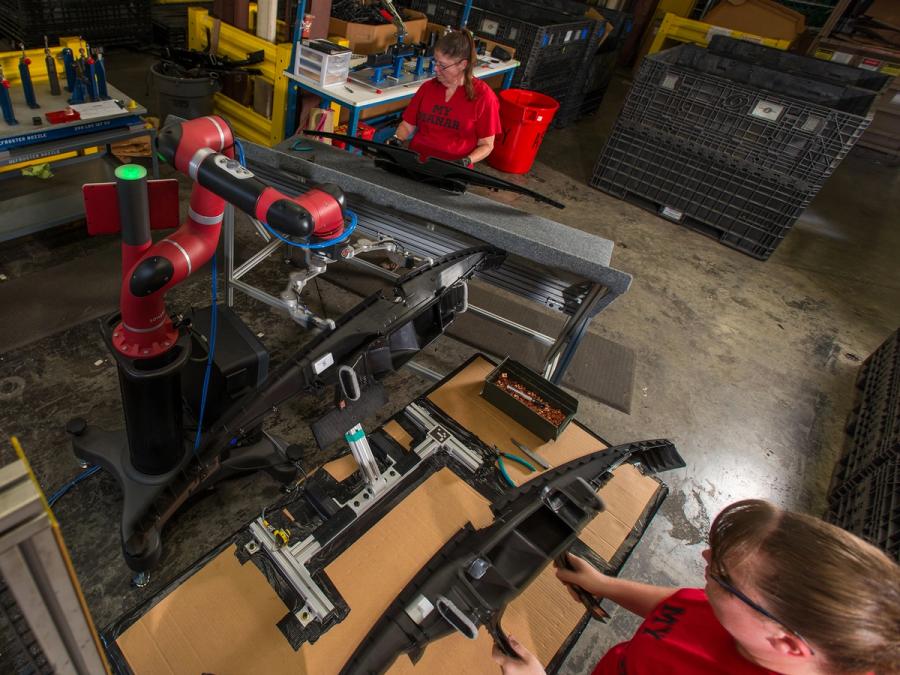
{"points": [[455, 115]]}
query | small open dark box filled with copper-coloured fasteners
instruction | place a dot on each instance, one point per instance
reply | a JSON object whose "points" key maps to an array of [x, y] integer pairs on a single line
{"points": [[503, 400]]}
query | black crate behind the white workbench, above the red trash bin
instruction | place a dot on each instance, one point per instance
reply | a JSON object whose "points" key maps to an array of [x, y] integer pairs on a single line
{"points": [[550, 41]]}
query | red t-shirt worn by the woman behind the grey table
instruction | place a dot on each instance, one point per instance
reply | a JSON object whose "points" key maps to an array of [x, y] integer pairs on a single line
{"points": [[451, 129]]}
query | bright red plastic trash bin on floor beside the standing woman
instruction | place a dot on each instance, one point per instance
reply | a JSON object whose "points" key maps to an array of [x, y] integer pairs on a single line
{"points": [[524, 116]]}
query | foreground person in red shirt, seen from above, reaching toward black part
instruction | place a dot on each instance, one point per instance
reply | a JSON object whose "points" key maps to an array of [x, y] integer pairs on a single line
{"points": [[785, 593]]}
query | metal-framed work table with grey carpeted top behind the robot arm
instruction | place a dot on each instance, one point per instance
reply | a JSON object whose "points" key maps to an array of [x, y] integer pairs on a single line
{"points": [[571, 275]]}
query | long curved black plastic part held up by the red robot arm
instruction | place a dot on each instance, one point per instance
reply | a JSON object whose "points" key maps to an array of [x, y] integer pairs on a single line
{"points": [[376, 337]]}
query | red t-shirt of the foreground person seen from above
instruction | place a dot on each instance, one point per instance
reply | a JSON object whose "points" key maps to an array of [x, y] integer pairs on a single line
{"points": [[681, 636]]}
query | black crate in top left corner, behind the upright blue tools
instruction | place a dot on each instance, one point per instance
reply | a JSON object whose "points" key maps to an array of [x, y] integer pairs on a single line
{"points": [[101, 22]]}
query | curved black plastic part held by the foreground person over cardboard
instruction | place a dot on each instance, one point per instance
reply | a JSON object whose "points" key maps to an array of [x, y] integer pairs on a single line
{"points": [[470, 581]]}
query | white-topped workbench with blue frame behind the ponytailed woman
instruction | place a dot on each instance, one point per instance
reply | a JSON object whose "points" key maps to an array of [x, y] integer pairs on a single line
{"points": [[357, 97]]}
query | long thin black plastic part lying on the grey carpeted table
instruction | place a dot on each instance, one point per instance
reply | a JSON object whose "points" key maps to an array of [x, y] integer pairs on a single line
{"points": [[445, 175]]}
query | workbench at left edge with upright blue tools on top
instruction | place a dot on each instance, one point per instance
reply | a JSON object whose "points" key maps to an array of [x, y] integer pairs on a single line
{"points": [[33, 204]]}
